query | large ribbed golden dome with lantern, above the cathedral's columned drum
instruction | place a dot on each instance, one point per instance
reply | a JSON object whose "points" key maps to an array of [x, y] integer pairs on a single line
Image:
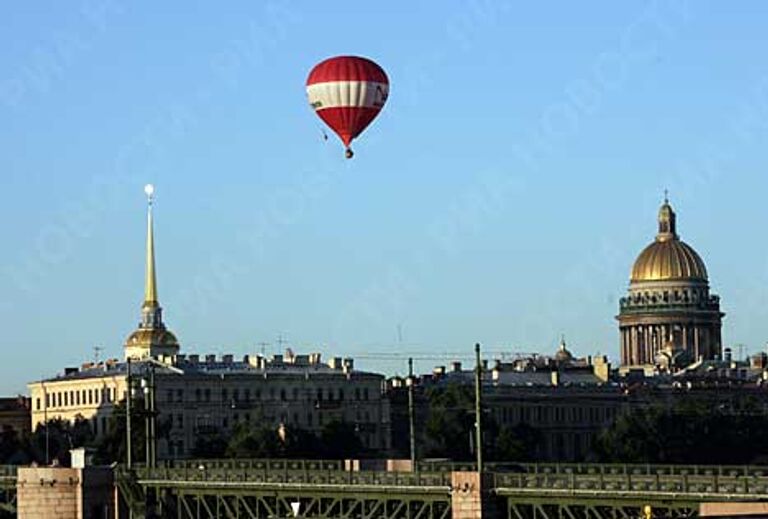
{"points": [[668, 258]]}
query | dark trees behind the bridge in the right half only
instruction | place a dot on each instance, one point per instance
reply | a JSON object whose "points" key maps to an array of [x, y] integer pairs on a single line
{"points": [[691, 431]]}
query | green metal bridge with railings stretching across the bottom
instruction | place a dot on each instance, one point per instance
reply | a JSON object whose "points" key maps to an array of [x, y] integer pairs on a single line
{"points": [[249, 489]]}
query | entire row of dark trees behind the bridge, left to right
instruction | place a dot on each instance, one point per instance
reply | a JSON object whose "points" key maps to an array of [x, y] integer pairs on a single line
{"points": [[692, 431]]}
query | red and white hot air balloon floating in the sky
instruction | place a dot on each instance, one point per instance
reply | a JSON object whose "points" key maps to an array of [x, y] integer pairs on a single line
{"points": [[347, 92]]}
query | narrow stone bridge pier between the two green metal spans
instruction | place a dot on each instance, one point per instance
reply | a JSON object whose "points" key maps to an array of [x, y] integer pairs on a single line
{"points": [[472, 497]]}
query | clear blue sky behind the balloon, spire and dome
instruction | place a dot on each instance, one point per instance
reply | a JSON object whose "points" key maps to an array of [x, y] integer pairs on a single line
{"points": [[501, 196]]}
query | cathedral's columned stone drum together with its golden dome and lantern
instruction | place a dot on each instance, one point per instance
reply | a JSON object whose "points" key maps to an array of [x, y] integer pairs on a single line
{"points": [[669, 316]]}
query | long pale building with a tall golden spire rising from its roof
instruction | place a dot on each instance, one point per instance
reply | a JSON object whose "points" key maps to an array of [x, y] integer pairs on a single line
{"points": [[196, 395]]}
